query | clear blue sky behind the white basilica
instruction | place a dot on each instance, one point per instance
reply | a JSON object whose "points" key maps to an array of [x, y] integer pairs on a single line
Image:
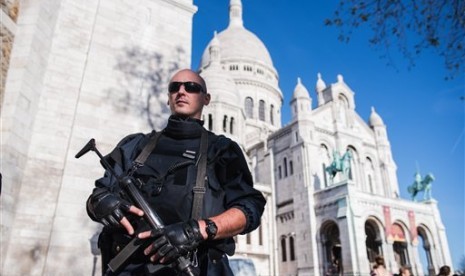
{"points": [[423, 113]]}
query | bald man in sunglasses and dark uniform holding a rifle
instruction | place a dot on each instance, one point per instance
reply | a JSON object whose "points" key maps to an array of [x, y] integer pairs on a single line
{"points": [[196, 181]]}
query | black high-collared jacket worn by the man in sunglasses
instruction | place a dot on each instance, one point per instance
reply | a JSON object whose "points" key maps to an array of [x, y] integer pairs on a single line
{"points": [[169, 174]]}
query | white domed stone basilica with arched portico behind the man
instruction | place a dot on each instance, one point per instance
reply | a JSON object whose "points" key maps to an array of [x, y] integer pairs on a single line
{"points": [[318, 221]]}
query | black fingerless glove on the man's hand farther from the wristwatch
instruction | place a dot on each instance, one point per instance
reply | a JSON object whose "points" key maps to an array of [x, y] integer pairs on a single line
{"points": [[107, 208]]}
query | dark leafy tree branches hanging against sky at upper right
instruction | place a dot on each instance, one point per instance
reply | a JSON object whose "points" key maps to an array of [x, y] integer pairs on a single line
{"points": [[411, 25]]}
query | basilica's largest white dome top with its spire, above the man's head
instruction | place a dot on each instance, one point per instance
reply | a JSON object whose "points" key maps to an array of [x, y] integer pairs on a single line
{"points": [[238, 43]]}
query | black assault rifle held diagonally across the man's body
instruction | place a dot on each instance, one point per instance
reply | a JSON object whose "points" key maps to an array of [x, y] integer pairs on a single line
{"points": [[182, 265]]}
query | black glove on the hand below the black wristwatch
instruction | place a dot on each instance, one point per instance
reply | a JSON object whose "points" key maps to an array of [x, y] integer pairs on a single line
{"points": [[176, 240]]}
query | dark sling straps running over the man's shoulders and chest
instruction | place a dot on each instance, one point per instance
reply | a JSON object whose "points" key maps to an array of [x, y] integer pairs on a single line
{"points": [[199, 188]]}
